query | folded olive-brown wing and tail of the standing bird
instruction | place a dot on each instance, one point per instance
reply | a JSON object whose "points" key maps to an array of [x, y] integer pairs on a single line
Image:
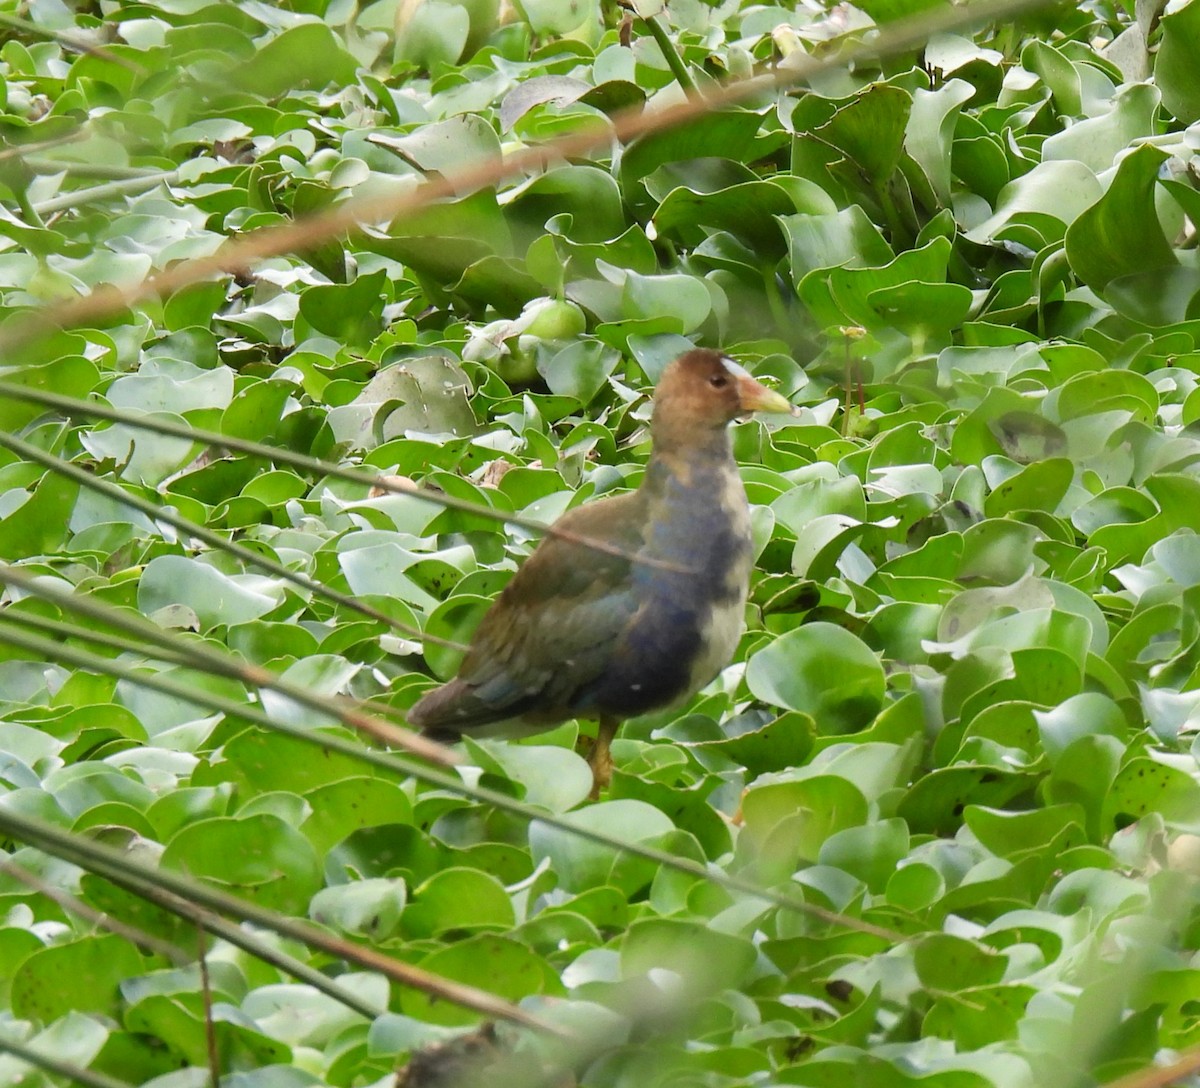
{"points": [[554, 628]]}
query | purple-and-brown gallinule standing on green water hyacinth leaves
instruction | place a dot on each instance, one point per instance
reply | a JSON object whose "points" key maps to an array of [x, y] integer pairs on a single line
{"points": [[646, 623]]}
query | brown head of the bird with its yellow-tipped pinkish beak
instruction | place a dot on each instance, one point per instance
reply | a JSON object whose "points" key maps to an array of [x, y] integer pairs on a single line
{"points": [[703, 392]]}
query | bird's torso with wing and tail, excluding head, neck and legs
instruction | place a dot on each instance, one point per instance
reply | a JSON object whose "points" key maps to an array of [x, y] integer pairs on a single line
{"points": [[580, 633]]}
